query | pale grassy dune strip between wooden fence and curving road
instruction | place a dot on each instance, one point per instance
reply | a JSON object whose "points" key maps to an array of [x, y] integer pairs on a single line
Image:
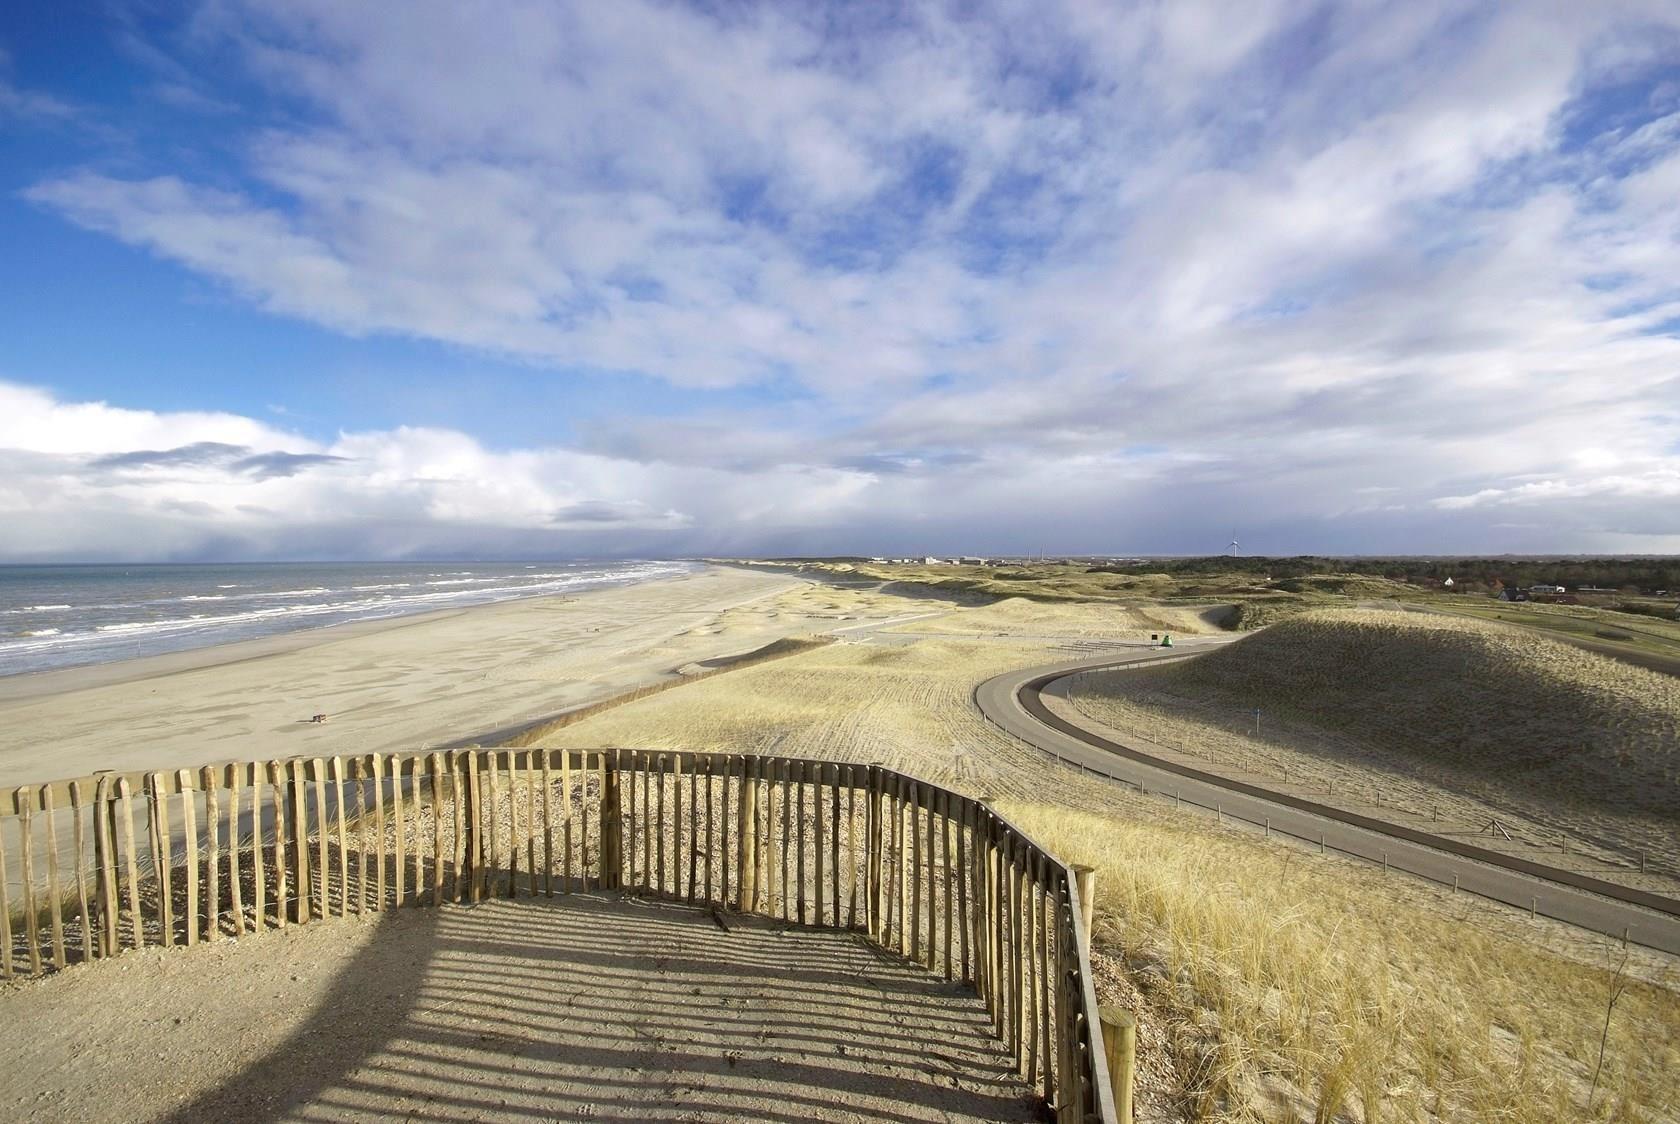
{"points": [[1274, 984]]}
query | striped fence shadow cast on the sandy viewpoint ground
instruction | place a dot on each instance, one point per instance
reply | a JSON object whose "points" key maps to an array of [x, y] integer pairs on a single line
{"points": [[596, 1006]]}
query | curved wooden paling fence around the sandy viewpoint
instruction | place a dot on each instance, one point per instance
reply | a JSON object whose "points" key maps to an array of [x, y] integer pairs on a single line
{"points": [[103, 864]]}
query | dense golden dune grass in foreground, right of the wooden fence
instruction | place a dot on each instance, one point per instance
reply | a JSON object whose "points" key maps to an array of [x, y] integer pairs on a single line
{"points": [[1298, 994]]}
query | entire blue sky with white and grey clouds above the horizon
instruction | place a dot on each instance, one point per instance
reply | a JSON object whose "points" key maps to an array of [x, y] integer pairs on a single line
{"points": [[332, 280]]}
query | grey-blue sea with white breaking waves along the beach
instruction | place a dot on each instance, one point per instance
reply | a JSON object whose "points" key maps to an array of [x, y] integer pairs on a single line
{"points": [[73, 616]]}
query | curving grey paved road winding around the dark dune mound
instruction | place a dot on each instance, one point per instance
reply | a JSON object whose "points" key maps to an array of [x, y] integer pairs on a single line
{"points": [[1012, 703]]}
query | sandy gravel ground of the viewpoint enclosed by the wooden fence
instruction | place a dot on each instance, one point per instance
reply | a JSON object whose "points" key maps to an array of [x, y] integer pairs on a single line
{"points": [[579, 1009]]}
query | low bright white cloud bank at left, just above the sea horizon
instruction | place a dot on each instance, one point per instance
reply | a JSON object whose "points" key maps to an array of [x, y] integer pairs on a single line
{"points": [[92, 480]]}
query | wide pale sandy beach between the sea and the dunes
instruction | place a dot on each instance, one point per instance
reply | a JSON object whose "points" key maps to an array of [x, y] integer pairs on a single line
{"points": [[448, 678]]}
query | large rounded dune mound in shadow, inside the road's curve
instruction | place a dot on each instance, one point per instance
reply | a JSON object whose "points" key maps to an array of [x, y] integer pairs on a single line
{"points": [[1476, 728]]}
